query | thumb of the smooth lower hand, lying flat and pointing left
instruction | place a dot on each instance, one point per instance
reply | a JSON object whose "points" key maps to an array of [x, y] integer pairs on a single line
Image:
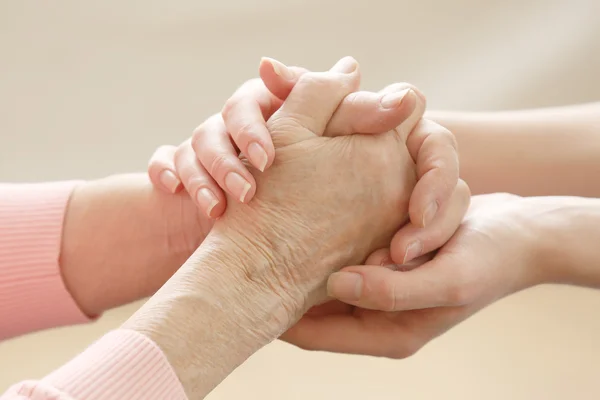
{"points": [[432, 284]]}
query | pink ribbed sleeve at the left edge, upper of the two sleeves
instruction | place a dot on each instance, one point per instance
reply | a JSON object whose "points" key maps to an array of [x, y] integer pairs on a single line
{"points": [[32, 293]]}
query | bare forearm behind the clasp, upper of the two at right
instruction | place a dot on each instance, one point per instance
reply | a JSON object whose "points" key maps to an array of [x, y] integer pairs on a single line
{"points": [[530, 153]]}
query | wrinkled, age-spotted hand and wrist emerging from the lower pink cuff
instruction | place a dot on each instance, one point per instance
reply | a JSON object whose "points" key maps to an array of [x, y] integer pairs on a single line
{"points": [[236, 294]]}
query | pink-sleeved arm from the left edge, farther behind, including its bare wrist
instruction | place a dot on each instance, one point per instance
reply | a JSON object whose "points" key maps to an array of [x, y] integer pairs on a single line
{"points": [[57, 260]]}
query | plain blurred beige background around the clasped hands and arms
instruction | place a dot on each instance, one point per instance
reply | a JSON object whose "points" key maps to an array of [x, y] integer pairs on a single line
{"points": [[91, 88]]}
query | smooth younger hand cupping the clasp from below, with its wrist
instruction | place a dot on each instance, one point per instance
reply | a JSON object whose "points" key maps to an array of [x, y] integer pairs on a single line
{"points": [[498, 250]]}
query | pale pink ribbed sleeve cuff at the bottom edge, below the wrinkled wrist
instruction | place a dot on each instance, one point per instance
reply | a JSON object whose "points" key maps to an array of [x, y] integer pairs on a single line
{"points": [[122, 365]]}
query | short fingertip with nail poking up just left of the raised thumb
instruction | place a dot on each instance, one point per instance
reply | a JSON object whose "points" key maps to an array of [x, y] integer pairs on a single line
{"points": [[278, 78]]}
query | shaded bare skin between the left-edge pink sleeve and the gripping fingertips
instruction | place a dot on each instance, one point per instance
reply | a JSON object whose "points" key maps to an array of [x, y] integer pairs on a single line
{"points": [[122, 240]]}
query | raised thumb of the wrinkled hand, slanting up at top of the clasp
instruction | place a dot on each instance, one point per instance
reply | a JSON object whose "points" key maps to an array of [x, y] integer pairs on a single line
{"points": [[313, 101]]}
